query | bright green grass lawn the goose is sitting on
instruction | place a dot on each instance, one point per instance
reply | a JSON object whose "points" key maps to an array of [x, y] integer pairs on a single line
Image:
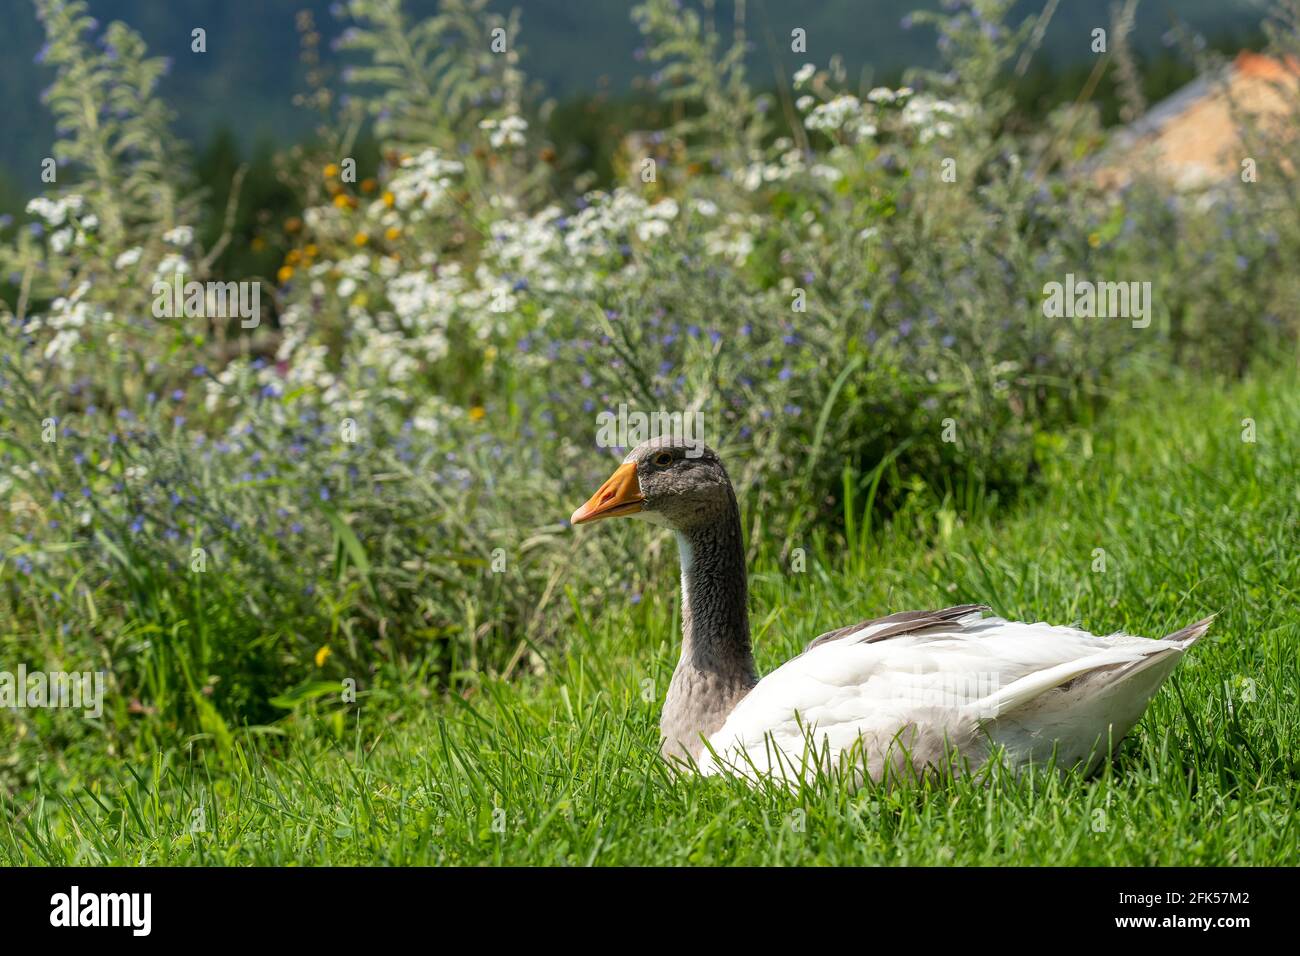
{"points": [[562, 765]]}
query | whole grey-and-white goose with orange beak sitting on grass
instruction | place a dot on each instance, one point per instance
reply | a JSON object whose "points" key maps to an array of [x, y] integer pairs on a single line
{"points": [[903, 697]]}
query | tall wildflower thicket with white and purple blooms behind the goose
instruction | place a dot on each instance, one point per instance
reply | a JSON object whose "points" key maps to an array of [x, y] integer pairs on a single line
{"points": [[830, 293]]}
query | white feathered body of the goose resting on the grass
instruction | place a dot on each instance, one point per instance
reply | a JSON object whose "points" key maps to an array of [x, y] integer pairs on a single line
{"points": [[912, 703]]}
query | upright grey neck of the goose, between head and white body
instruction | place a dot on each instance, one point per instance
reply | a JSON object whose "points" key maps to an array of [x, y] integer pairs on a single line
{"points": [[717, 665]]}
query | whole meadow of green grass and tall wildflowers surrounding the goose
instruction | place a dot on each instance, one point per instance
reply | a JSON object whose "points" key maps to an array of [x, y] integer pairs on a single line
{"points": [[323, 559]]}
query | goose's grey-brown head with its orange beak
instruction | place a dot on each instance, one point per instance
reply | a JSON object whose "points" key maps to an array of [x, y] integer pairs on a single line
{"points": [[673, 485]]}
